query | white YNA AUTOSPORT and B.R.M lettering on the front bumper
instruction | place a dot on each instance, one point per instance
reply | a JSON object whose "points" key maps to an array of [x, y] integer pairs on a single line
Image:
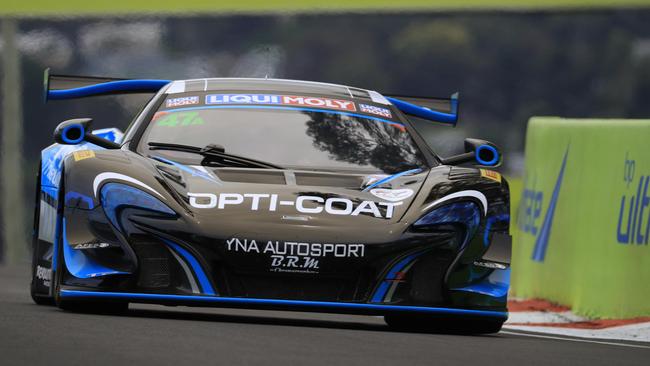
{"points": [[287, 256]]}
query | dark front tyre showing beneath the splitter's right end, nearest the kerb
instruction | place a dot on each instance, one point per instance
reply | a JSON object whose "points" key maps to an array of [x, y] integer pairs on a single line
{"points": [[429, 324]]}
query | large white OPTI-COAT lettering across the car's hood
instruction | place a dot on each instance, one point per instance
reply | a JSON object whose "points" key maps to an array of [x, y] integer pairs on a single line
{"points": [[303, 204]]}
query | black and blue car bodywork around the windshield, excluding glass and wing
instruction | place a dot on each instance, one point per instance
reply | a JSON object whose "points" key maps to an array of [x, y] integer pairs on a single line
{"points": [[121, 224]]}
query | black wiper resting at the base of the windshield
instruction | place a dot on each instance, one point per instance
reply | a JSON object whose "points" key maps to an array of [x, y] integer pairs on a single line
{"points": [[214, 152]]}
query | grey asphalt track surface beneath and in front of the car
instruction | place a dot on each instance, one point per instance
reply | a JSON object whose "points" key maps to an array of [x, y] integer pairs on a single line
{"points": [[156, 335]]}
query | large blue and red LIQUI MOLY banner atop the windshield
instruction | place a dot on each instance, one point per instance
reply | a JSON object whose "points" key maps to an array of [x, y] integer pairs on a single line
{"points": [[303, 101]]}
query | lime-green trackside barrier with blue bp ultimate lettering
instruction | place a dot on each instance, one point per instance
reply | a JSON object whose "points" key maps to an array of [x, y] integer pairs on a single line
{"points": [[582, 228]]}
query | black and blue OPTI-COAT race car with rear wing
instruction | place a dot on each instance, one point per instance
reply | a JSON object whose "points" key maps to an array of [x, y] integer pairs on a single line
{"points": [[271, 194]]}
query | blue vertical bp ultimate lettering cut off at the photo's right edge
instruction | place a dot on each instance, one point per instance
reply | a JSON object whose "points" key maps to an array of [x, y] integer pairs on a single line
{"points": [[634, 214]]}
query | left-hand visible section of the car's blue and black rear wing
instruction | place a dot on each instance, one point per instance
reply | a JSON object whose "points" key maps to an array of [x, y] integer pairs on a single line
{"points": [[57, 87]]}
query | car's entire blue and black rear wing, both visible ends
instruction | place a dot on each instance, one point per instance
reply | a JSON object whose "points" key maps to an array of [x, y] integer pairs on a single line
{"points": [[58, 87]]}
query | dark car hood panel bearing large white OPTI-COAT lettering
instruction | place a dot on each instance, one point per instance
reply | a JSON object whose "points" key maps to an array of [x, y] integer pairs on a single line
{"points": [[290, 197]]}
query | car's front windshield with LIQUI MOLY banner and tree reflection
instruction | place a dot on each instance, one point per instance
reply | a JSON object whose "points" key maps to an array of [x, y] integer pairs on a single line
{"points": [[327, 134]]}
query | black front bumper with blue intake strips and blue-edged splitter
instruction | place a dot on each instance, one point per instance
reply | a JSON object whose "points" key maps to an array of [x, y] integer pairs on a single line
{"points": [[419, 270]]}
